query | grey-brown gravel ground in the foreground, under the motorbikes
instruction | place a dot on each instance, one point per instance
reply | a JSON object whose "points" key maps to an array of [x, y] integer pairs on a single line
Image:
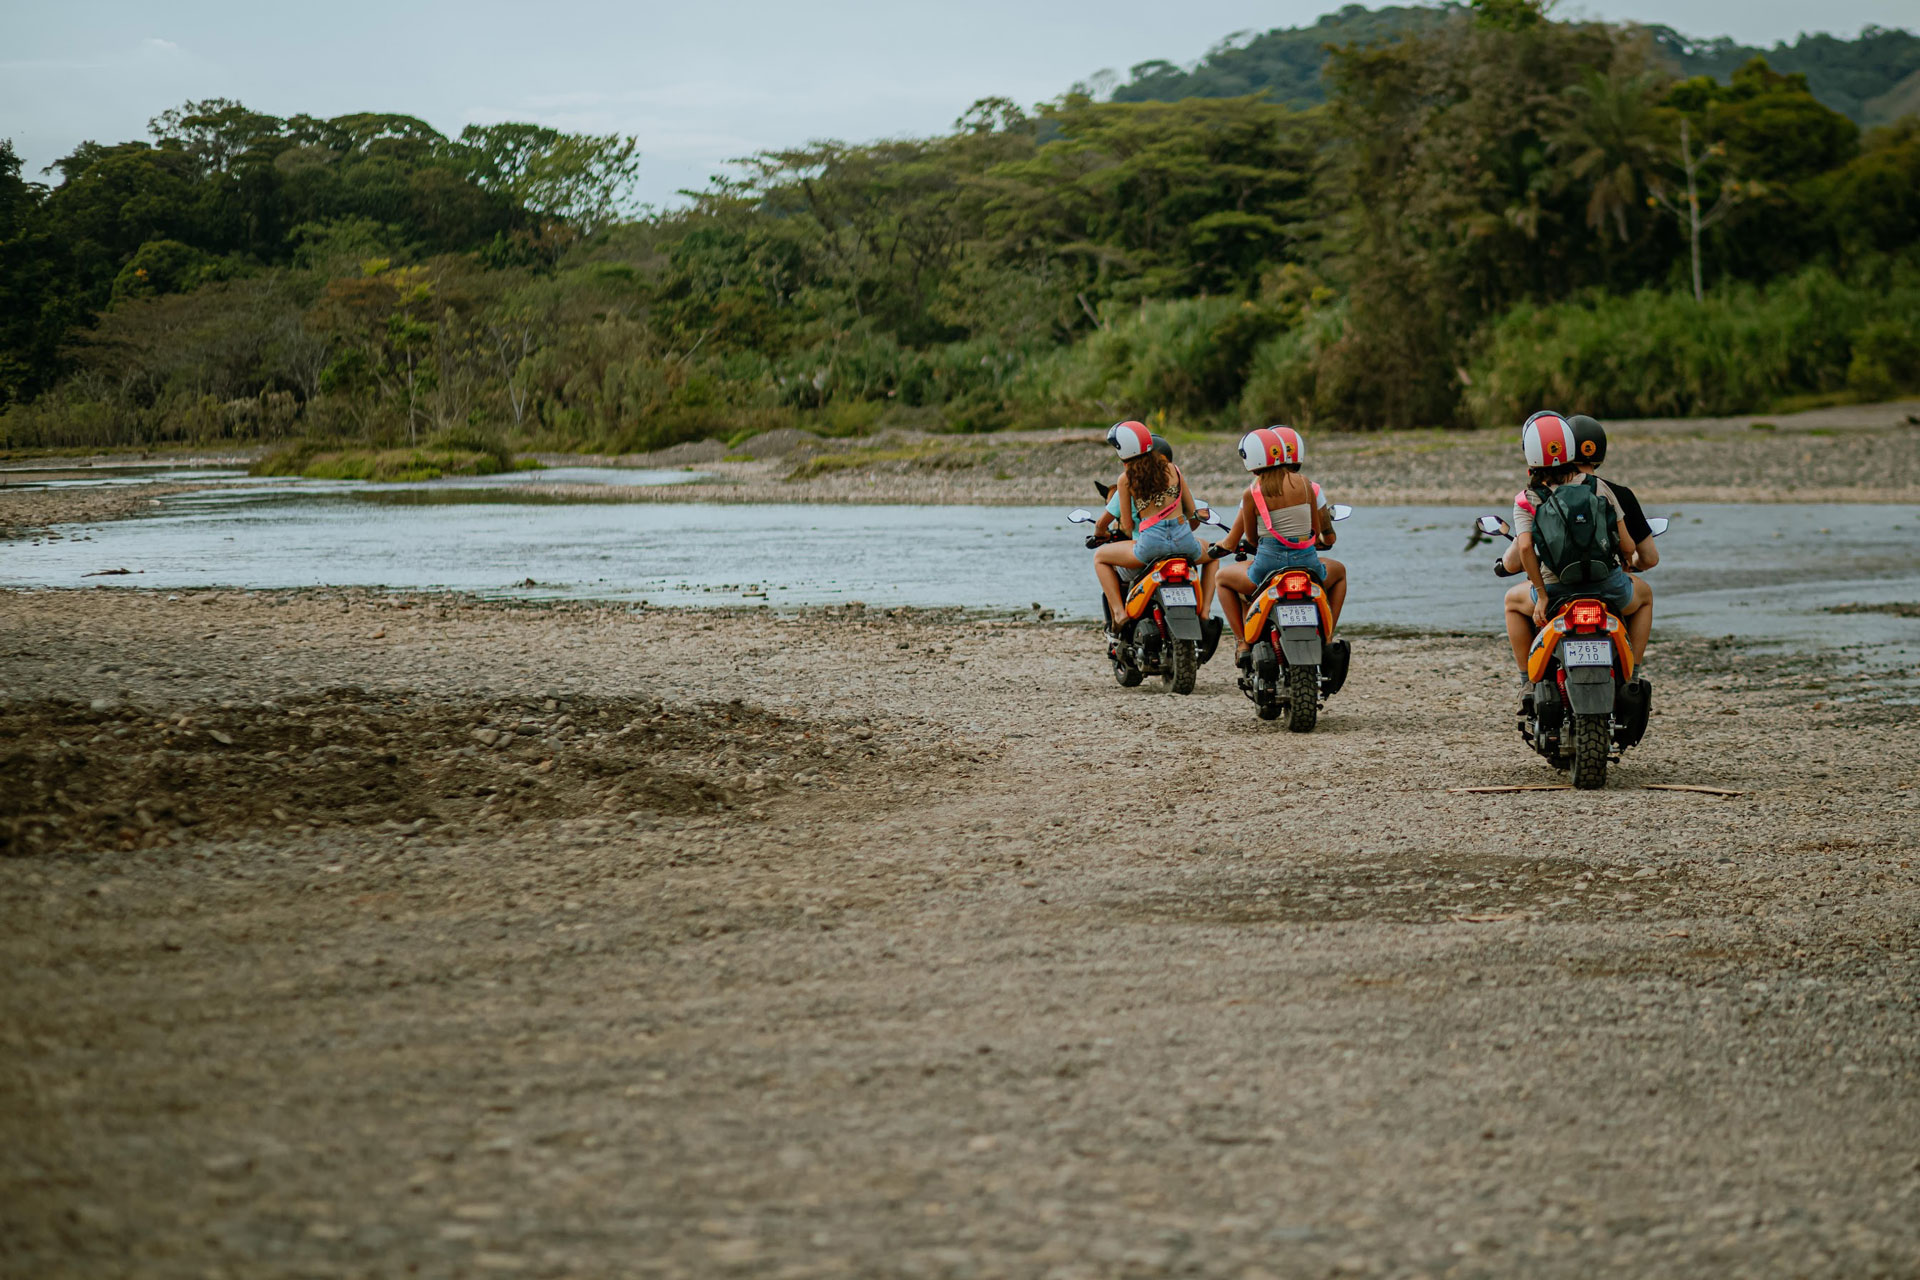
{"points": [[364, 936]]}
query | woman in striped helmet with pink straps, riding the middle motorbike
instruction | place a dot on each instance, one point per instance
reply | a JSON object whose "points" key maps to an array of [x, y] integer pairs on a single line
{"points": [[1293, 523]]}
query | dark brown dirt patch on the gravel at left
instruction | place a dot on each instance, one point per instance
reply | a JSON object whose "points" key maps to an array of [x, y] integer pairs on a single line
{"points": [[95, 776]]}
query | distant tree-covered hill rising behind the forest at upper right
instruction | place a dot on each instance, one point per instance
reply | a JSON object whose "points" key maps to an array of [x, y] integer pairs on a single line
{"points": [[1873, 78]]}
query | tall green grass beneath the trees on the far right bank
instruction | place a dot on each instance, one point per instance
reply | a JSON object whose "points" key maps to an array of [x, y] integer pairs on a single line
{"points": [[1660, 354]]}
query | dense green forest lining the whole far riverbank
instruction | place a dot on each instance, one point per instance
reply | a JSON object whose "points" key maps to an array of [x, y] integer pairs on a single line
{"points": [[1489, 210]]}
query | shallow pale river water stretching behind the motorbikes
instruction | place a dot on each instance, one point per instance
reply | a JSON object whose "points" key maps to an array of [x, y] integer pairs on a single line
{"points": [[1764, 573]]}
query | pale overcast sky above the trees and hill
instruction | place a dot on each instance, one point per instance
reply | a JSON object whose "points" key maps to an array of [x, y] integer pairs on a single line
{"points": [[700, 82]]}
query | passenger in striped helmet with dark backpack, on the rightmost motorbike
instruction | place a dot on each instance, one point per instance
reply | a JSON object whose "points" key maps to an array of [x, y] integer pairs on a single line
{"points": [[1552, 450]]}
